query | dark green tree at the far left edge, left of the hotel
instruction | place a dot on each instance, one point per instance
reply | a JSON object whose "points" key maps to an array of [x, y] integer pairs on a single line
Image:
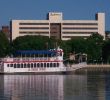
{"points": [[4, 45]]}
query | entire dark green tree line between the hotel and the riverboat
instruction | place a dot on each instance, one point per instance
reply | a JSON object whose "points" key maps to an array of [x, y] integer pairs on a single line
{"points": [[97, 49]]}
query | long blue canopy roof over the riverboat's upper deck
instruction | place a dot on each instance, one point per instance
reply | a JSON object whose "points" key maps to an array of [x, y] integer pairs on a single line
{"points": [[35, 52]]}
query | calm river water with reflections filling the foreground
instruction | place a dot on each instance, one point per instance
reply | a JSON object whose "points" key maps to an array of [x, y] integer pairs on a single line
{"points": [[55, 87]]}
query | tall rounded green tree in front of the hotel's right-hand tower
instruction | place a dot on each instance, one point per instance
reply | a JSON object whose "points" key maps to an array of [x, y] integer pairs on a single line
{"points": [[94, 47]]}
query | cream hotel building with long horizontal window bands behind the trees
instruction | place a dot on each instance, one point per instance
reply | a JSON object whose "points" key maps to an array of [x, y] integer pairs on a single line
{"points": [[55, 26]]}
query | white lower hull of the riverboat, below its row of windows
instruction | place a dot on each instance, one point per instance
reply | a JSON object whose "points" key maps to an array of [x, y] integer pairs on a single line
{"points": [[58, 70]]}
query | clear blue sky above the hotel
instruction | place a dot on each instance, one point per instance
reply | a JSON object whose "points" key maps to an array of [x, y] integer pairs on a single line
{"points": [[38, 9]]}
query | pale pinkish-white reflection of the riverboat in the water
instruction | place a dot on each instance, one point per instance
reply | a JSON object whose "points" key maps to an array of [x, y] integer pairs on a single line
{"points": [[33, 87]]}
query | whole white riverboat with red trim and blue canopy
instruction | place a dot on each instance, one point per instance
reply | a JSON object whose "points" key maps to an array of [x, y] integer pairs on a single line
{"points": [[36, 62]]}
